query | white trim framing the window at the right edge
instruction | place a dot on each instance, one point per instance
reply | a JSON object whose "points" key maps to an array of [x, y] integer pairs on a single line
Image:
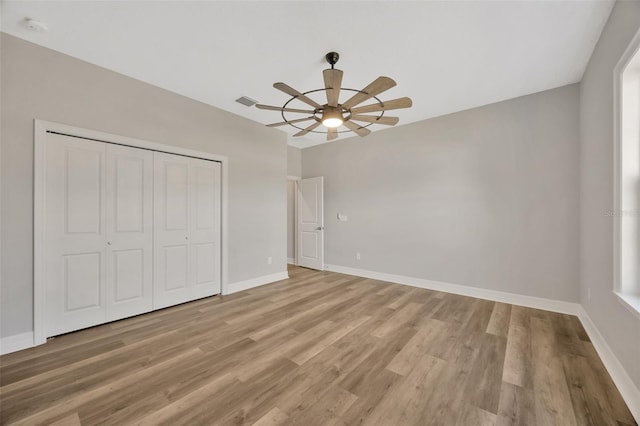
{"points": [[618, 70]]}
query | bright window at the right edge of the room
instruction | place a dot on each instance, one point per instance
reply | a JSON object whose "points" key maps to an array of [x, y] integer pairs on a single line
{"points": [[626, 212]]}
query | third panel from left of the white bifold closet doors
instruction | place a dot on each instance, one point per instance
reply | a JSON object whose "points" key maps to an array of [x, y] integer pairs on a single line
{"points": [[171, 230]]}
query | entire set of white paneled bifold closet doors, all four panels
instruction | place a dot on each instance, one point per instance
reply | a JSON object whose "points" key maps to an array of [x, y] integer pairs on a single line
{"points": [[127, 231]]}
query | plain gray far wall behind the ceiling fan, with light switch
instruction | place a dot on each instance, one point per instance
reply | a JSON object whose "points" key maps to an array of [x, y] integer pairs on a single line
{"points": [[486, 197]]}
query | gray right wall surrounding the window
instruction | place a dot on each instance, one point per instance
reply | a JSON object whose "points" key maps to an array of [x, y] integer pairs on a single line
{"points": [[619, 327]]}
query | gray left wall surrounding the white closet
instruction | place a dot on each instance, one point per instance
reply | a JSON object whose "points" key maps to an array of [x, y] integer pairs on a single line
{"points": [[40, 83]]}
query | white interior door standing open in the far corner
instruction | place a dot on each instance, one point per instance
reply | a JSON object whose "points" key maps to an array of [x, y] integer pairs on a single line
{"points": [[311, 223]]}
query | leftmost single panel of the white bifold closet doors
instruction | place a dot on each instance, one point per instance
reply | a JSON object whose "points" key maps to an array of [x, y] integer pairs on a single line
{"points": [[75, 234]]}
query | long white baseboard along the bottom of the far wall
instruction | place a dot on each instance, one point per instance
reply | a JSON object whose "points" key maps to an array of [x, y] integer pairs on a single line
{"points": [[481, 293]]}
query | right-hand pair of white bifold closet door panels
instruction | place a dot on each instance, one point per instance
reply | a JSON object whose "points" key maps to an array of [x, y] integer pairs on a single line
{"points": [[186, 229]]}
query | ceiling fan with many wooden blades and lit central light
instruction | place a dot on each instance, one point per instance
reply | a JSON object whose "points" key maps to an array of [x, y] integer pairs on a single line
{"points": [[334, 114]]}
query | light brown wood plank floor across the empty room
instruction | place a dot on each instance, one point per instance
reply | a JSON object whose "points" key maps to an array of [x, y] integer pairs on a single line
{"points": [[319, 349]]}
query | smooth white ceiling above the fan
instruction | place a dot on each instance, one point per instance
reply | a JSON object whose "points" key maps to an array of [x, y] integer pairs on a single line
{"points": [[446, 55]]}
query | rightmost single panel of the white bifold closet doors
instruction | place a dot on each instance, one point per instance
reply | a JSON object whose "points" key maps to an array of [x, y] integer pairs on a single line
{"points": [[205, 227]]}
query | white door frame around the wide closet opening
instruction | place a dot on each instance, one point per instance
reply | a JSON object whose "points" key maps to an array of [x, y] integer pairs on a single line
{"points": [[41, 128]]}
